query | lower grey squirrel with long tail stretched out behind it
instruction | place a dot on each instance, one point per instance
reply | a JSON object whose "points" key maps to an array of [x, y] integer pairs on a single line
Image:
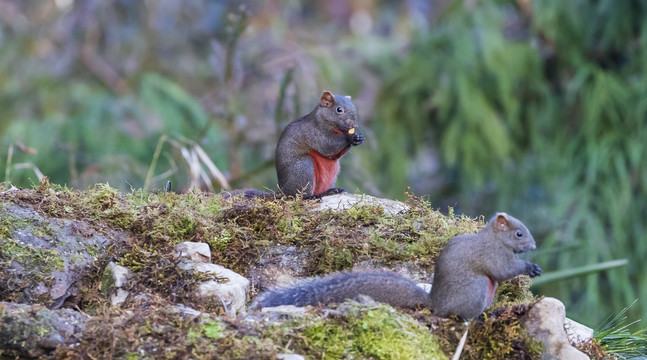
{"points": [[467, 273]]}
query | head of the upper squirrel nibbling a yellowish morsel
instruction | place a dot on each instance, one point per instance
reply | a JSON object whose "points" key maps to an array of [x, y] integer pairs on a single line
{"points": [[337, 113]]}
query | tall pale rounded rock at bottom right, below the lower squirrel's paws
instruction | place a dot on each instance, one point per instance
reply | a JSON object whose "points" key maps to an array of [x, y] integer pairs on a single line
{"points": [[545, 322]]}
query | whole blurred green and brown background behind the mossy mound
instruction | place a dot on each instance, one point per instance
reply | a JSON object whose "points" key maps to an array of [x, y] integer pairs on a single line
{"points": [[536, 108]]}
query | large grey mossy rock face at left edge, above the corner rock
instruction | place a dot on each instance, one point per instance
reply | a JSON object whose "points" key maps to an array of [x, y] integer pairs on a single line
{"points": [[48, 257]]}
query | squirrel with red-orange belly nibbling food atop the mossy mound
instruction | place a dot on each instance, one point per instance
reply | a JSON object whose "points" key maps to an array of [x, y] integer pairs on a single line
{"points": [[308, 152]]}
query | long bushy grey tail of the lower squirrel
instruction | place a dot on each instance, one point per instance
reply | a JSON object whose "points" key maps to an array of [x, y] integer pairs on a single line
{"points": [[386, 287]]}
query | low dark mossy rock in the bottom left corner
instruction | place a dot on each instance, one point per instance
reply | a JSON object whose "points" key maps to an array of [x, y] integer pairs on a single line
{"points": [[34, 331]]}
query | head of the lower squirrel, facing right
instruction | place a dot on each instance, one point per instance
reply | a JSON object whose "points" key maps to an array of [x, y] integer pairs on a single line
{"points": [[512, 232]]}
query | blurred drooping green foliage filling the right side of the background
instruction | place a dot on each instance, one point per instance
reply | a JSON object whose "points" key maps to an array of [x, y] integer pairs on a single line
{"points": [[547, 123]]}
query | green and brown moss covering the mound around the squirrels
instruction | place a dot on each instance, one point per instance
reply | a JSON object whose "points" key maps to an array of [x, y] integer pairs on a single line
{"points": [[238, 230]]}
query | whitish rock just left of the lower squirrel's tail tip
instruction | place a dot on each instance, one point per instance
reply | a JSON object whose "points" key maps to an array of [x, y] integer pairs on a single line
{"points": [[230, 289]]}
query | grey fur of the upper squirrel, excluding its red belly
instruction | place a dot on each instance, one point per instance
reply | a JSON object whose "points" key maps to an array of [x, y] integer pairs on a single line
{"points": [[314, 131]]}
